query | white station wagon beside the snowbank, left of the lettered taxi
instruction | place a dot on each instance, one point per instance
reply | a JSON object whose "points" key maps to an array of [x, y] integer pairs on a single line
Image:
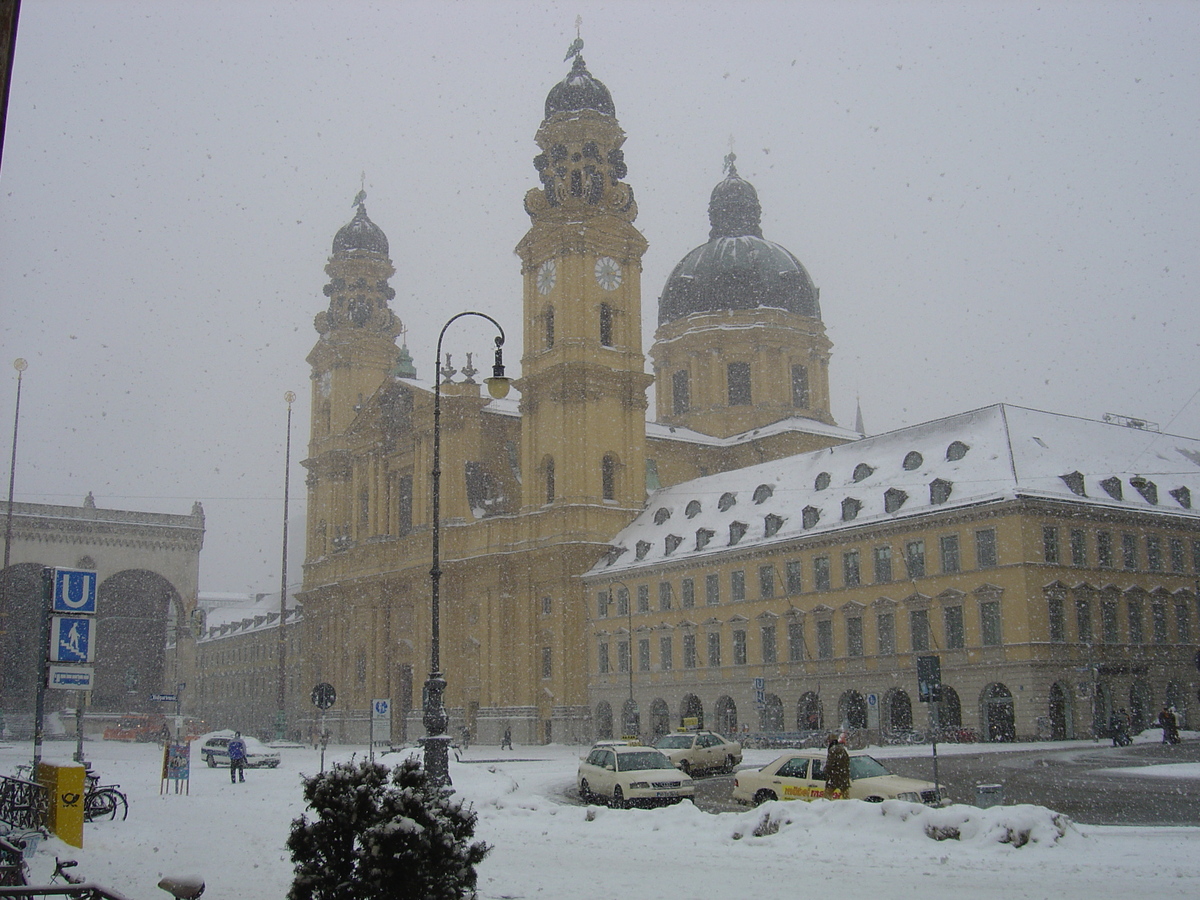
{"points": [[633, 776]]}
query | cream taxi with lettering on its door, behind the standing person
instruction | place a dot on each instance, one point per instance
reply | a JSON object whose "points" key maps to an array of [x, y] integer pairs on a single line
{"points": [[800, 776]]}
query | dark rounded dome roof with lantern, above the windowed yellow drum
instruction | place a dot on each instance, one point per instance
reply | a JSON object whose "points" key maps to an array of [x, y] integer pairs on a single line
{"points": [[737, 269]]}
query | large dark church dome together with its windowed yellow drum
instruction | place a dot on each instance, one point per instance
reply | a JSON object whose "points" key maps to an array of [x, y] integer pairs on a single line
{"points": [[741, 343]]}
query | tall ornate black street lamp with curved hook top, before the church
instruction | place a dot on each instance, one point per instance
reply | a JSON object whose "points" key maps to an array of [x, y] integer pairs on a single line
{"points": [[436, 742]]}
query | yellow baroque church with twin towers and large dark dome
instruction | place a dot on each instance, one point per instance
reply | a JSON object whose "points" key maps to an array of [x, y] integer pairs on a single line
{"points": [[533, 491]]}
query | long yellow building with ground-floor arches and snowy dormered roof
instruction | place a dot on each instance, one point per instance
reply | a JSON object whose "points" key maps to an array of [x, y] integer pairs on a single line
{"points": [[1055, 586]]}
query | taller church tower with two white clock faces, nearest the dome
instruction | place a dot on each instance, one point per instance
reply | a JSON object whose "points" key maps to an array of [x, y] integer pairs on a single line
{"points": [[584, 382]]}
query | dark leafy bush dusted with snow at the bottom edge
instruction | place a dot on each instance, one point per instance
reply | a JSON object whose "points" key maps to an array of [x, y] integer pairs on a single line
{"points": [[383, 835]]}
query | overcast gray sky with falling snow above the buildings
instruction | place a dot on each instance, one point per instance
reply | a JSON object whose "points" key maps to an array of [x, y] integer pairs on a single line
{"points": [[998, 201]]}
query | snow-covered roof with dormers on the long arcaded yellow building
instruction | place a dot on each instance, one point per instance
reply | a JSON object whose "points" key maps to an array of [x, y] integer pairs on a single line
{"points": [[983, 457]]}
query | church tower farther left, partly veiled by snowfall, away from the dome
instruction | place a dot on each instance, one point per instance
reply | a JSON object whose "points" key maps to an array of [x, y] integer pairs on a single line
{"points": [[355, 353]]}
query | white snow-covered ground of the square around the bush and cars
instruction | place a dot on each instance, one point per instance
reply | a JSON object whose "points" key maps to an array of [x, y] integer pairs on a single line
{"points": [[233, 836]]}
